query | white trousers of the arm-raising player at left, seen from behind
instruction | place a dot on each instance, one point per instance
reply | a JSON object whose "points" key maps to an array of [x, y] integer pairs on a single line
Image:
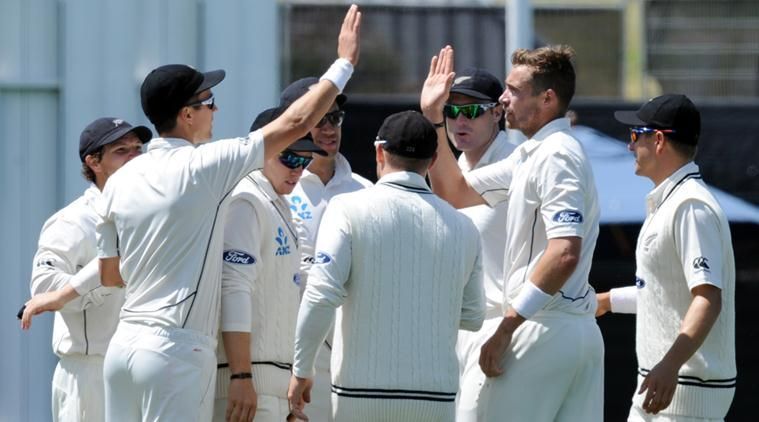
{"points": [[159, 374]]}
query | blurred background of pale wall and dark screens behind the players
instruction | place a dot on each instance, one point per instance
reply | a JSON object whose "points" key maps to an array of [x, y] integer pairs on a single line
{"points": [[64, 63]]}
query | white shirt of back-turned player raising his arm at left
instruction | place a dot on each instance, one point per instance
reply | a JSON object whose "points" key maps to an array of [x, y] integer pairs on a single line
{"points": [[160, 214]]}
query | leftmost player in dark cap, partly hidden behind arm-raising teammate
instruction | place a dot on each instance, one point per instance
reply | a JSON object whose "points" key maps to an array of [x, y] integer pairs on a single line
{"points": [[66, 255]]}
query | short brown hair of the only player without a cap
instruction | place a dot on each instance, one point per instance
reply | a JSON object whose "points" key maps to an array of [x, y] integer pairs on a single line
{"points": [[551, 69]]}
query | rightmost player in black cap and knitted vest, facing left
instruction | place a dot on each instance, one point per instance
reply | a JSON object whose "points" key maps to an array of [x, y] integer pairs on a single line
{"points": [[684, 293]]}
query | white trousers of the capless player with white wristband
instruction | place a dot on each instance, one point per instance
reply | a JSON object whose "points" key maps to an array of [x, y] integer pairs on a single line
{"points": [[553, 372]]}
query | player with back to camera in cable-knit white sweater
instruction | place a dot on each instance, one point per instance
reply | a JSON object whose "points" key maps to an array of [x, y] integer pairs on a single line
{"points": [[403, 270]]}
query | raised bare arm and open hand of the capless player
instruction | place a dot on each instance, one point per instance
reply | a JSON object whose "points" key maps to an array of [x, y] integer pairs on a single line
{"points": [[446, 178]]}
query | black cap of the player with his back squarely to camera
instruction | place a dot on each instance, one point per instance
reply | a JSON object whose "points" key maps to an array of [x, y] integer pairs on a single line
{"points": [[408, 134]]}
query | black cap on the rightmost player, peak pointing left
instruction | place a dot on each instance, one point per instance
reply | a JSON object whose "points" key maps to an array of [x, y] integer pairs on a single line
{"points": [[670, 111]]}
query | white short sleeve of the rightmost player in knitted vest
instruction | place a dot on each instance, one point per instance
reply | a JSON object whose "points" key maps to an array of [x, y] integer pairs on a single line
{"points": [[699, 244]]}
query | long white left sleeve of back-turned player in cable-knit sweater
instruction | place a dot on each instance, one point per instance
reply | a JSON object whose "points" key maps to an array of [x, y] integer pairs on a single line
{"points": [[325, 290]]}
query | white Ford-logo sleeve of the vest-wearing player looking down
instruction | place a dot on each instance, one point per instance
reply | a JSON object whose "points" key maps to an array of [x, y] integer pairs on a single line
{"points": [[242, 247]]}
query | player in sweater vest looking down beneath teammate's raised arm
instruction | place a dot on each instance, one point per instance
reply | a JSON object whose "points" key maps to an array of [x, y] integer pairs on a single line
{"points": [[260, 287]]}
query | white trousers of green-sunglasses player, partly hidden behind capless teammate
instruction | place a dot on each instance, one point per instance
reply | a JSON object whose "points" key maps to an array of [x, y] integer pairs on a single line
{"points": [[471, 377]]}
